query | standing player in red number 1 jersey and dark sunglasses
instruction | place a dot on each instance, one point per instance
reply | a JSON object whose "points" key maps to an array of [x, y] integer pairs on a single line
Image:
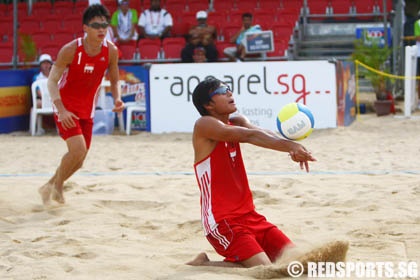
{"points": [[73, 84]]}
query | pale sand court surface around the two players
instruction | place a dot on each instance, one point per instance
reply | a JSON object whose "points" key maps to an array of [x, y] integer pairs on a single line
{"points": [[132, 211]]}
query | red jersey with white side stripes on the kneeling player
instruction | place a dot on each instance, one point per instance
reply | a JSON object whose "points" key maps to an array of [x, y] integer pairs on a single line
{"points": [[223, 184]]}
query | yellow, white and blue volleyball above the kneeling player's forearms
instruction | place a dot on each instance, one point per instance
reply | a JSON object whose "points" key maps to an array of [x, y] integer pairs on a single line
{"points": [[295, 121]]}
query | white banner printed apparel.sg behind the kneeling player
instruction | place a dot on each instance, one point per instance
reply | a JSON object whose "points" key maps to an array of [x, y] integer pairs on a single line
{"points": [[260, 89]]}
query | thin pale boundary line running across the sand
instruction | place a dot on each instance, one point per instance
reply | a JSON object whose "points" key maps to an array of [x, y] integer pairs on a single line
{"points": [[262, 173]]}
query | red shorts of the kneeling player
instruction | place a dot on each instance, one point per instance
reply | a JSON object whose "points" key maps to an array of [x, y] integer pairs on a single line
{"points": [[238, 239]]}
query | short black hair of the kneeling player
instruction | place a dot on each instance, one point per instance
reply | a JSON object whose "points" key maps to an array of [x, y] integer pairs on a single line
{"points": [[201, 94]]}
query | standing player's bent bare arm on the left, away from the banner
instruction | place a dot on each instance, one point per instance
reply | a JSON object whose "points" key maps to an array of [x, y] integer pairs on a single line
{"points": [[64, 58]]}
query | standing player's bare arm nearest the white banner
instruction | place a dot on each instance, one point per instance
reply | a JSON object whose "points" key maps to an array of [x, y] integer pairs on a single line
{"points": [[114, 78]]}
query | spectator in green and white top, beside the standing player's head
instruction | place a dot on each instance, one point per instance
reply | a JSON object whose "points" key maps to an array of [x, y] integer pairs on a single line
{"points": [[123, 22]]}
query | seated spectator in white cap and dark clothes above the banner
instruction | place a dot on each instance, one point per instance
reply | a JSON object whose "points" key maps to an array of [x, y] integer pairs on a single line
{"points": [[201, 35]]}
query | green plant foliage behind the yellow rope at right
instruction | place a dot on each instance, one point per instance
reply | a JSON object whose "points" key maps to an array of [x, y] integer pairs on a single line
{"points": [[376, 57]]}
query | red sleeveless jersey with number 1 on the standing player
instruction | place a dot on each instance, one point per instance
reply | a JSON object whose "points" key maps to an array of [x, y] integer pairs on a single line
{"points": [[82, 79]]}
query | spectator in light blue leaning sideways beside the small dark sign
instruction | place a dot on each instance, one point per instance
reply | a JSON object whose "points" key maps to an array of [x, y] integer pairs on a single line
{"points": [[238, 52]]}
